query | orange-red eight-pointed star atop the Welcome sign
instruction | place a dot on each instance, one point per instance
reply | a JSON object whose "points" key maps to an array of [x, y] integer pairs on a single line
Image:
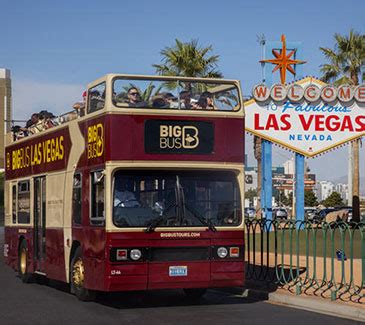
{"points": [[283, 61]]}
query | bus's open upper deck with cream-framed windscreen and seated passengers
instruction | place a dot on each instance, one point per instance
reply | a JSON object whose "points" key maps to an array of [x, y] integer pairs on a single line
{"points": [[130, 94]]}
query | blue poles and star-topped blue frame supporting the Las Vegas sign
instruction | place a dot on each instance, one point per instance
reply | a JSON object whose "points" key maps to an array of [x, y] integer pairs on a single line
{"points": [[284, 62]]}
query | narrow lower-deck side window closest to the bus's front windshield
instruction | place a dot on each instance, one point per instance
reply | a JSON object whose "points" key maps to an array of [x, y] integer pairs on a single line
{"points": [[97, 216]]}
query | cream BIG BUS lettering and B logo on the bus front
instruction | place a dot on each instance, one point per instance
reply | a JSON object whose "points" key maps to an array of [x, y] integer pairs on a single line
{"points": [[177, 137]]}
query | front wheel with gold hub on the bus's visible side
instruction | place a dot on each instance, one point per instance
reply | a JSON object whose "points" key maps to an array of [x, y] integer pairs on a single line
{"points": [[77, 278]]}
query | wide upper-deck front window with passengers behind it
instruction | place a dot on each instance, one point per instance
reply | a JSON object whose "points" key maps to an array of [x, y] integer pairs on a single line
{"points": [[175, 94]]}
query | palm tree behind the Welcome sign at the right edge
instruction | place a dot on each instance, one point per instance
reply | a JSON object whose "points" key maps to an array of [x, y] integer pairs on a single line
{"points": [[344, 68]]}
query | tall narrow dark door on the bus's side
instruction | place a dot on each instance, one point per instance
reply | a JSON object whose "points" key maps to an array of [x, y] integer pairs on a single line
{"points": [[40, 223]]}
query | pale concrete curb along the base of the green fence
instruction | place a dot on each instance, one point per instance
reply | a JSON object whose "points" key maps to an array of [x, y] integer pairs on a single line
{"points": [[316, 305]]}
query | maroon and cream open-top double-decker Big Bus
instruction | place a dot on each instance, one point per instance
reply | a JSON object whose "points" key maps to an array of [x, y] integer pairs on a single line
{"points": [[144, 190]]}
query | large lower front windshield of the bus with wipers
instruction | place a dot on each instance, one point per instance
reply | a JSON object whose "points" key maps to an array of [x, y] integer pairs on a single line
{"points": [[176, 199]]}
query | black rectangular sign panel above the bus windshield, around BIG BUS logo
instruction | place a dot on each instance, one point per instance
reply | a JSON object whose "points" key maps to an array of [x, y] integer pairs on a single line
{"points": [[191, 137]]}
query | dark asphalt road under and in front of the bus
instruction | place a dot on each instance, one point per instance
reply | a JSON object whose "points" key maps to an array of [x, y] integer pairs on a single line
{"points": [[46, 304]]}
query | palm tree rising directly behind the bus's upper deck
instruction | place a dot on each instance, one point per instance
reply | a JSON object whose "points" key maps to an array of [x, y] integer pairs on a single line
{"points": [[188, 60]]}
